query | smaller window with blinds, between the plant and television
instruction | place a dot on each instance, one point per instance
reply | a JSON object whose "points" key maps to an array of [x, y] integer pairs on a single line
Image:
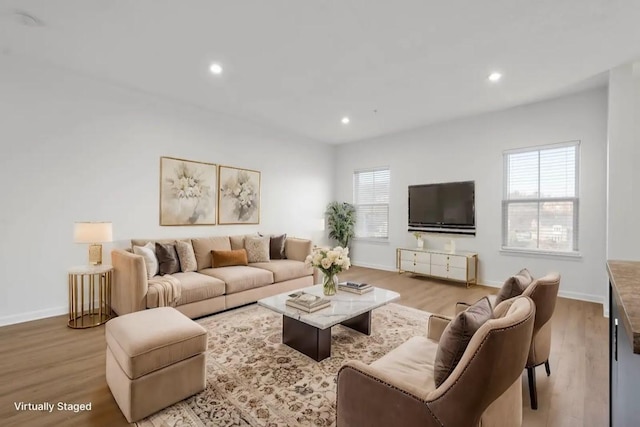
{"points": [[371, 199]]}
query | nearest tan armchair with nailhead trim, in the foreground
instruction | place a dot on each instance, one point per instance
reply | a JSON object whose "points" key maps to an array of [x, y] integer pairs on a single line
{"points": [[484, 388]]}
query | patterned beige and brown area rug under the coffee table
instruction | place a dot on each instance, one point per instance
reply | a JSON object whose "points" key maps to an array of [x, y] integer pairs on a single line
{"points": [[255, 380]]}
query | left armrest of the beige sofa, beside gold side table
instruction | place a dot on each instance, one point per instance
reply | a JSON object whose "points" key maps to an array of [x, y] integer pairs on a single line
{"points": [[130, 286]]}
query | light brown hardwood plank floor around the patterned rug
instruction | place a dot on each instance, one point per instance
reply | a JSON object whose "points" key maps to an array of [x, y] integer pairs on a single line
{"points": [[44, 361]]}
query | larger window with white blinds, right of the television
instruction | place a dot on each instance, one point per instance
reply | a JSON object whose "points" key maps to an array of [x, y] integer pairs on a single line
{"points": [[540, 205]]}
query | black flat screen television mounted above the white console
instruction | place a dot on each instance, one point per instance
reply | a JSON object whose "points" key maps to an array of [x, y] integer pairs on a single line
{"points": [[443, 208]]}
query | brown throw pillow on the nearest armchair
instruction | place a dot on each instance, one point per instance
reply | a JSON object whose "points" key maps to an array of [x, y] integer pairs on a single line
{"points": [[456, 337]]}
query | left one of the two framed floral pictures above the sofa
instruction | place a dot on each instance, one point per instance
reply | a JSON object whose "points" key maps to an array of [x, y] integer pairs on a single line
{"points": [[187, 192]]}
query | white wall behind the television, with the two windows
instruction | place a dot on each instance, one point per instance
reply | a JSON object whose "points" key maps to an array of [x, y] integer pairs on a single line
{"points": [[471, 149]]}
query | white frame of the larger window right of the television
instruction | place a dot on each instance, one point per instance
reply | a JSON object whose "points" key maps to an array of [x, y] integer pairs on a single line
{"points": [[506, 201]]}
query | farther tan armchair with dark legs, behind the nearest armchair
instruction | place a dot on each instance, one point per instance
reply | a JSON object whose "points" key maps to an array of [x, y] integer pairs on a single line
{"points": [[544, 293]]}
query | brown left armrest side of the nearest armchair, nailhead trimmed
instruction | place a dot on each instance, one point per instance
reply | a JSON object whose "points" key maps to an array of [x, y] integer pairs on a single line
{"points": [[368, 397]]}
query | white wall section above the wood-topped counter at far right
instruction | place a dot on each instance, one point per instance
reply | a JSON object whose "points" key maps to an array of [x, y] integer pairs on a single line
{"points": [[624, 157]]}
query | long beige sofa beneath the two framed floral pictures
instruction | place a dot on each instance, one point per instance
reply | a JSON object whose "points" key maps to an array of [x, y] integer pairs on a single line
{"points": [[209, 290]]}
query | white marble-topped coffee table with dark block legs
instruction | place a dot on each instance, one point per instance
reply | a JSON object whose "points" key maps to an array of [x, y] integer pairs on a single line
{"points": [[310, 333]]}
